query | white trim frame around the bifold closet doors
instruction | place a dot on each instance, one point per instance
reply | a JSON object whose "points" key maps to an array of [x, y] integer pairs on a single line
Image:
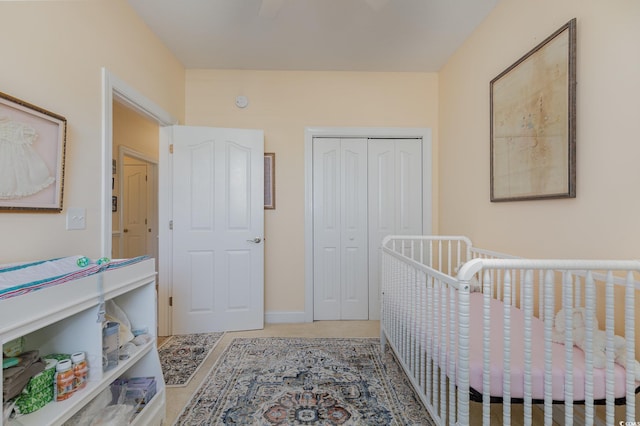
{"points": [[363, 132]]}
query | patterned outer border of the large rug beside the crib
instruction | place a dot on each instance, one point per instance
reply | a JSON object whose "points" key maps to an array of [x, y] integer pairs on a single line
{"points": [[223, 355]]}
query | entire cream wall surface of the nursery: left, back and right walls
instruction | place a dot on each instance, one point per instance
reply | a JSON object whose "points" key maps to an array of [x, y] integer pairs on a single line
{"points": [[55, 52]]}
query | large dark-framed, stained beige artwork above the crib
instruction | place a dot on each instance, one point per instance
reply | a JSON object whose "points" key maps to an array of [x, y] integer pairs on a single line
{"points": [[533, 122]]}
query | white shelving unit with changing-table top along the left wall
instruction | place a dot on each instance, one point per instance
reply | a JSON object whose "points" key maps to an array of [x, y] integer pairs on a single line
{"points": [[64, 319]]}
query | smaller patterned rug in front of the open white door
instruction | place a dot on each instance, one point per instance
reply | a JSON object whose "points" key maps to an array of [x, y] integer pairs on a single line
{"points": [[182, 355]]}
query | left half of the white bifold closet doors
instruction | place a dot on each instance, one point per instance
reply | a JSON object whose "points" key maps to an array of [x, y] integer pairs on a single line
{"points": [[340, 228]]}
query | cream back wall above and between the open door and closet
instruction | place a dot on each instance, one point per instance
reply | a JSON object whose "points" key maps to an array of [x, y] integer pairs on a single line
{"points": [[283, 104]]}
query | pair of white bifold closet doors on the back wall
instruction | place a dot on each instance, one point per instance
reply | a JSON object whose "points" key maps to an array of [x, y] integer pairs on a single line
{"points": [[363, 190]]}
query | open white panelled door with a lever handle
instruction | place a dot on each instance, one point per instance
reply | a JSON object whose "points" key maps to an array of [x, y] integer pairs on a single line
{"points": [[218, 228]]}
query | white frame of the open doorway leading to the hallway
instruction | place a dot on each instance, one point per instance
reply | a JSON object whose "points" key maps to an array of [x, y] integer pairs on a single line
{"points": [[113, 88]]}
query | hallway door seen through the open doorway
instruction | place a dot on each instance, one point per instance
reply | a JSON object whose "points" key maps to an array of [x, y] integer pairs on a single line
{"points": [[134, 210]]}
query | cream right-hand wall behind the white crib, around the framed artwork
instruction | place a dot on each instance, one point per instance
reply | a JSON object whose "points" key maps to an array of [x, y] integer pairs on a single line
{"points": [[602, 221]]}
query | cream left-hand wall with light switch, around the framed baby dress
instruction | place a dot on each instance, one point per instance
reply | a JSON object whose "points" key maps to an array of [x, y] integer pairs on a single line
{"points": [[52, 56]]}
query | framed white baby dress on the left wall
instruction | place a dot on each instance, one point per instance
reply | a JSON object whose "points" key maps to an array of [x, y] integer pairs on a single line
{"points": [[32, 151]]}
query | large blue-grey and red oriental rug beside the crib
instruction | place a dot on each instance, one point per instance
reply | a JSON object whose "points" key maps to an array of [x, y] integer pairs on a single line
{"points": [[304, 381]]}
